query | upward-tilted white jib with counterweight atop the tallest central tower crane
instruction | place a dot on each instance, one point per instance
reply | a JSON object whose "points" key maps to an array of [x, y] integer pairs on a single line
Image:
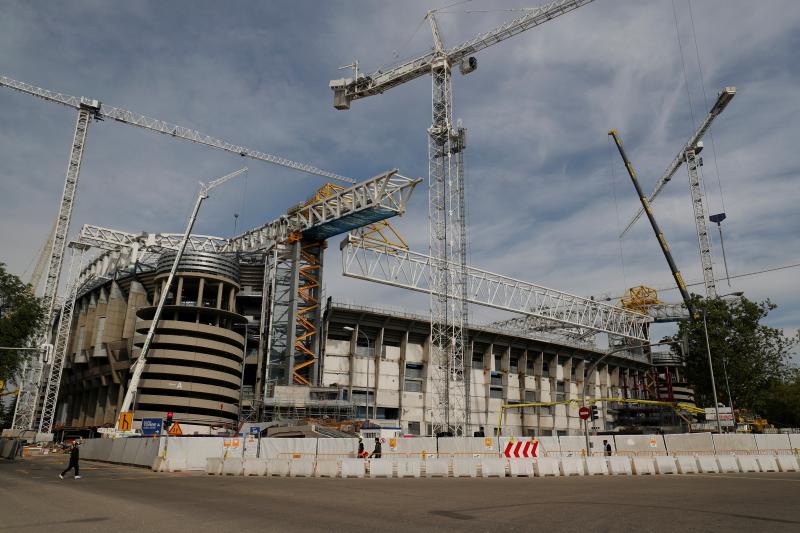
{"points": [[380, 81]]}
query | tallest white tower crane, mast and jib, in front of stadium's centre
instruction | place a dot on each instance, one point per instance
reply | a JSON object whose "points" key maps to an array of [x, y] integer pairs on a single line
{"points": [[445, 195]]}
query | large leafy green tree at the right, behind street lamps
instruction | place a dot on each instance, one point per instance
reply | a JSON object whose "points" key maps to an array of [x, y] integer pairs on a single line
{"points": [[755, 356]]}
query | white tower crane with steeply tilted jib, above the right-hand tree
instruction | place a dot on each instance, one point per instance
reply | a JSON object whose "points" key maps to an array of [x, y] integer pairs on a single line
{"points": [[688, 153]]}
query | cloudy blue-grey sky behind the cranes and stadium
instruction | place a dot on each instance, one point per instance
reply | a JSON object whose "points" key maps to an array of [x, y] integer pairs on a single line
{"points": [[546, 191]]}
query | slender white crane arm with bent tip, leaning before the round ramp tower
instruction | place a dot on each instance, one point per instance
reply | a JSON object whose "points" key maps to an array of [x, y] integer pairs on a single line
{"points": [[136, 375]]}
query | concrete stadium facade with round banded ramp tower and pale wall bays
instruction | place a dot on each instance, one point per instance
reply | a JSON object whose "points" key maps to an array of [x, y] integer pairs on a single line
{"points": [[208, 365]]}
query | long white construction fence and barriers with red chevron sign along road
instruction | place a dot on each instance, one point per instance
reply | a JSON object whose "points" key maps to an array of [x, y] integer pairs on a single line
{"points": [[446, 454]]}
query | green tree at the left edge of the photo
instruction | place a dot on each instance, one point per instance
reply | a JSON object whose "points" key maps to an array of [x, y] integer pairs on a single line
{"points": [[21, 315]]}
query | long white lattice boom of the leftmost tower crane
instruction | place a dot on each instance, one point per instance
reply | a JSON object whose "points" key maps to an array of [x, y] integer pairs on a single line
{"points": [[166, 128]]}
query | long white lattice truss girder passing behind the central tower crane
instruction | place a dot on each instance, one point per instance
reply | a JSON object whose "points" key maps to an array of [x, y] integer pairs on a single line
{"points": [[410, 270]]}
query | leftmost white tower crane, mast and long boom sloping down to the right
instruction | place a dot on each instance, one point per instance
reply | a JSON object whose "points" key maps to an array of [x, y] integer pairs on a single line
{"points": [[89, 109]]}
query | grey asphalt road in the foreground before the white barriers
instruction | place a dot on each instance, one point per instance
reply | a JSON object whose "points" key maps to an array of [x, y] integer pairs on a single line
{"points": [[117, 498]]}
